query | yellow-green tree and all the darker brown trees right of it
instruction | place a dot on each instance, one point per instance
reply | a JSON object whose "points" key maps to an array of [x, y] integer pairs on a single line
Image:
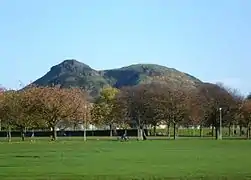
{"points": [[150, 105]]}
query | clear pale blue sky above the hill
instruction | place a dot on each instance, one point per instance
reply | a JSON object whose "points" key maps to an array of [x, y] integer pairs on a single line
{"points": [[209, 39]]}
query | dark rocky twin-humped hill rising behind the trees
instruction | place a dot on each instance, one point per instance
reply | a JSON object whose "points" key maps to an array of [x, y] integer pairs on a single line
{"points": [[72, 73]]}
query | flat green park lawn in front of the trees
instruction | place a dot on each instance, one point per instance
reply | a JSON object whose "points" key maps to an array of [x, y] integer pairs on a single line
{"points": [[109, 160]]}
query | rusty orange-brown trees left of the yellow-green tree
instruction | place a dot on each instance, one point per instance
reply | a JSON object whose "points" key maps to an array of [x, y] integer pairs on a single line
{"points": [[42, 108]]}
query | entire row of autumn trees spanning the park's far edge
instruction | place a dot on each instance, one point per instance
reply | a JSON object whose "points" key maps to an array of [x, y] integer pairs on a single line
{"points": [[143, 106]]}
